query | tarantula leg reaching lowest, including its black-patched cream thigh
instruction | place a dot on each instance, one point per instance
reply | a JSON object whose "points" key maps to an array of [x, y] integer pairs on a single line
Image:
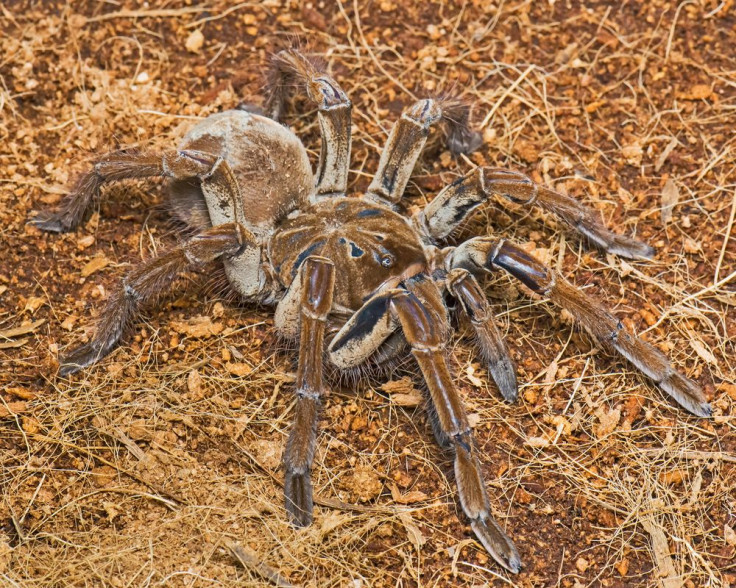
{"points": [[426, 333]]}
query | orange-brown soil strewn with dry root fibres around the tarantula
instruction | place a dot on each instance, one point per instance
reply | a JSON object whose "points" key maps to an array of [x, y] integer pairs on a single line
{"points": [[160, 465]]}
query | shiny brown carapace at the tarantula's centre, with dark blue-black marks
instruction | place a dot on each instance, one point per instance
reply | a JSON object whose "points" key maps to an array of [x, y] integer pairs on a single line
{"points": [[371, 246]]}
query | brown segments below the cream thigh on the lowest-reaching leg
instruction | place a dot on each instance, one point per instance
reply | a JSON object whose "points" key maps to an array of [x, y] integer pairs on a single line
{"points": [[423, 333]]}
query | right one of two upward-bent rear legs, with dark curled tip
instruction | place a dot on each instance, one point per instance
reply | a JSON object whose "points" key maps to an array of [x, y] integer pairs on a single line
{"points": [[408, 137]]}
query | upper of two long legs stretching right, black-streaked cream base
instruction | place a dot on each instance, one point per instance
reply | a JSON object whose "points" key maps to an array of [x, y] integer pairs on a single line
{"points": [[456, 202]]}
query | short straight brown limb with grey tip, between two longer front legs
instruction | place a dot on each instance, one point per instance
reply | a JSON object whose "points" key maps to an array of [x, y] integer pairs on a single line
{"points": [[464, 286]]}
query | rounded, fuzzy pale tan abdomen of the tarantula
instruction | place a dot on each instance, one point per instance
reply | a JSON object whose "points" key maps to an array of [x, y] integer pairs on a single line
{"points": [[269, 162]]}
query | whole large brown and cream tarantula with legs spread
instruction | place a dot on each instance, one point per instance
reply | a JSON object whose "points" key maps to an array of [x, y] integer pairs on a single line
{"points": [[353, 280]]}
